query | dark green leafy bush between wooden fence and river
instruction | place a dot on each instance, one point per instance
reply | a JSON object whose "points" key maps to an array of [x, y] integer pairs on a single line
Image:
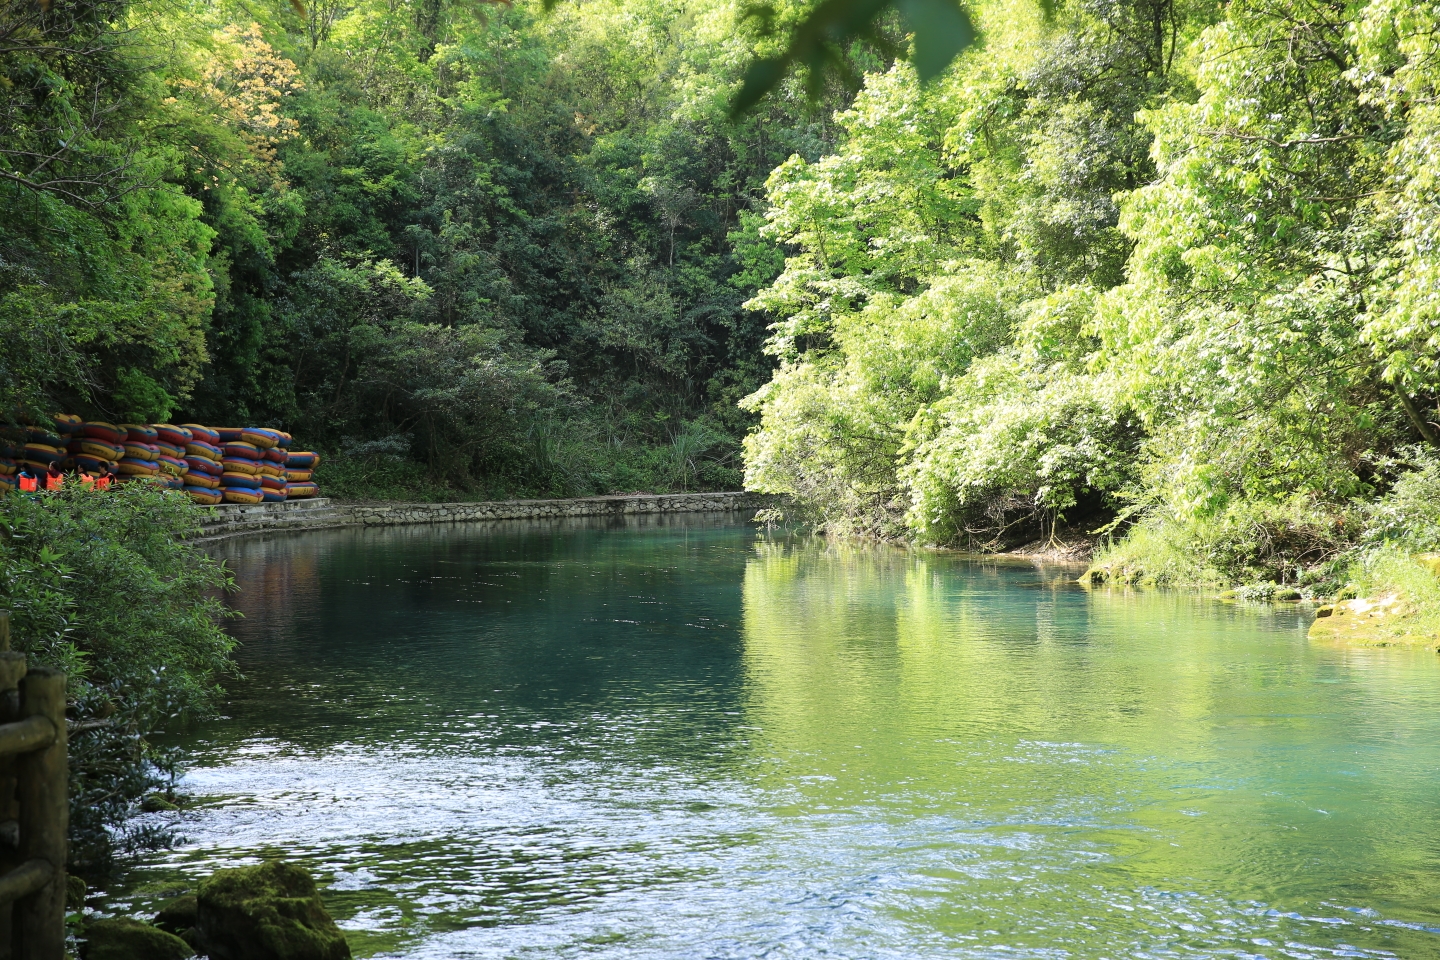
{"points": [[106, 588]]}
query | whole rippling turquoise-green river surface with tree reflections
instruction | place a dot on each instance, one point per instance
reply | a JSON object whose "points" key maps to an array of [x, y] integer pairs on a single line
{"points": [[669, 739]]}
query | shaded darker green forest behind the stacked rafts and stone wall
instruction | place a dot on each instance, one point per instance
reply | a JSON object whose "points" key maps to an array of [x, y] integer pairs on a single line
{"points": [[476, 250]]}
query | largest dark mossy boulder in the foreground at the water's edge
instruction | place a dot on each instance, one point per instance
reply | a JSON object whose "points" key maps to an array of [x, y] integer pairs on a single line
{"points": [[271, 912]]}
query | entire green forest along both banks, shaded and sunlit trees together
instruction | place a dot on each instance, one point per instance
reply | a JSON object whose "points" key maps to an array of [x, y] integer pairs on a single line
{"points": [[1161, 270]]}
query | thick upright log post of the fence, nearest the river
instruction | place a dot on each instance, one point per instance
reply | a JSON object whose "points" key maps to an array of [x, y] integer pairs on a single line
{"points": [[40, 918]]}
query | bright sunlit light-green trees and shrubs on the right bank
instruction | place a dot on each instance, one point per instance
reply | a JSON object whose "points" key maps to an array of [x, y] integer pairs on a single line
{"points": [[1158, 271]]}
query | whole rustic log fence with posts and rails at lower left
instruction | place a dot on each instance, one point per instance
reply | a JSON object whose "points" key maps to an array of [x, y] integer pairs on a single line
{"points": [[34, 808]]}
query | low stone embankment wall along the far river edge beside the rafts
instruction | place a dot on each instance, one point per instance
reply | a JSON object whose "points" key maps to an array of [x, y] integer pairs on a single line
{"points": [[233, 520]]}
